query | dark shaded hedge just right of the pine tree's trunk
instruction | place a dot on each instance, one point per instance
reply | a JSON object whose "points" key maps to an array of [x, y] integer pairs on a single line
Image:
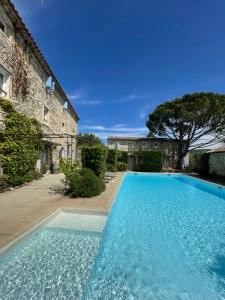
{"points": [[199, 162]]}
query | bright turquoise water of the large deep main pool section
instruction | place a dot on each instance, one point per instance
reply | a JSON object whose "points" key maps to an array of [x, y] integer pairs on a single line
{"points": [[165, 239]]}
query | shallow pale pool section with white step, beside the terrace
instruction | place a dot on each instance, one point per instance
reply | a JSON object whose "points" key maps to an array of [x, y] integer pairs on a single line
{"points": [[54, 261]]}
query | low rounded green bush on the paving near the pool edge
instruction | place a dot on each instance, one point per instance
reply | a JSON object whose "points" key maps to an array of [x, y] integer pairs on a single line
{"points": [[84, 183]]}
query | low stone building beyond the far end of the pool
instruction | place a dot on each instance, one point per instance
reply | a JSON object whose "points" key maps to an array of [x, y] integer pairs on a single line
{"points": [[133, 144]]}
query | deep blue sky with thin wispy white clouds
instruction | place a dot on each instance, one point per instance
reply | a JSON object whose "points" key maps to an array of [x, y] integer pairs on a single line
{"points": [[117, 60]]}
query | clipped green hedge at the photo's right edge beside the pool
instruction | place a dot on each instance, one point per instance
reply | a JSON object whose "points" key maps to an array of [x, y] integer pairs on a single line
{"points": [[217, 163]]}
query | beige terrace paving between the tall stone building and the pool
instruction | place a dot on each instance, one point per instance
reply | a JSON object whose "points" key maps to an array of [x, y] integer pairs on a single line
{"points": [[24, 207]]}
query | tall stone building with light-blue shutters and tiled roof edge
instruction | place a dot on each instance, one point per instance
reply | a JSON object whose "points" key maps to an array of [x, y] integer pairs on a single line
{"points": [[27, 80]]}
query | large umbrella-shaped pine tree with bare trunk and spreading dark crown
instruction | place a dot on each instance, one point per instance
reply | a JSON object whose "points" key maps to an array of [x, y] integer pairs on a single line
{"points": [[195, 121]]}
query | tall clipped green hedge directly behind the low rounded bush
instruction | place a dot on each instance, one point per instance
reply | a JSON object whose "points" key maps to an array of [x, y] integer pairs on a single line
{"points": [[94, 158]]}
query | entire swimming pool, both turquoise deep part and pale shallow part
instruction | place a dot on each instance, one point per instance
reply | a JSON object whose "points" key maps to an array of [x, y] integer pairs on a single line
{"points": [[164, 239]]}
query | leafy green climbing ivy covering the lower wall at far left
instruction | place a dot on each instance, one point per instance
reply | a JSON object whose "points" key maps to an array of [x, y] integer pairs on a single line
{"points": [[19, 146]]}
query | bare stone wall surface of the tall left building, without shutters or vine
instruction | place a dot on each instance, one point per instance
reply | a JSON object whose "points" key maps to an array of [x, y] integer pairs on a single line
{"points": [[59, 121]]}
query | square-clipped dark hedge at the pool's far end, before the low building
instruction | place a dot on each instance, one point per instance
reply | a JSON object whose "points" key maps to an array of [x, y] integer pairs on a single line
{"points": [[149, 161]]}
